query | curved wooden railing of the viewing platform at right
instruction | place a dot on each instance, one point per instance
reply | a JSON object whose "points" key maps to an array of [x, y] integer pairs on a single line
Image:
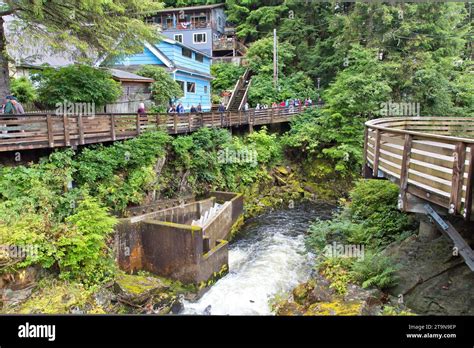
{"points": [[430, 157]]}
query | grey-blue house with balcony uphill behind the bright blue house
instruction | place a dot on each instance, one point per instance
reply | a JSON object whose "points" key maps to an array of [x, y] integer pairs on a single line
{"points": [[204, 28]]}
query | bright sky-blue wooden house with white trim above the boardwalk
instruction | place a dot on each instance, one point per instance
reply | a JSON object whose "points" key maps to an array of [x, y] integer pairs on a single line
{"points": [[190, 68]]}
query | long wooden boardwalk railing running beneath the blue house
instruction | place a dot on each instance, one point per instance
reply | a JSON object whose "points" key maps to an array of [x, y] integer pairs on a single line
{"points": [[35, 131]]}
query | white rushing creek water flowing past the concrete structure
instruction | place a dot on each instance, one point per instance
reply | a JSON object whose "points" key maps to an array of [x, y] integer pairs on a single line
{"points": [[267, 258]]}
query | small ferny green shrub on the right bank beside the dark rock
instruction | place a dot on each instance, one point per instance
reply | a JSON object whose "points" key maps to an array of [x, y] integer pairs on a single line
{"points": [[374, 270]]}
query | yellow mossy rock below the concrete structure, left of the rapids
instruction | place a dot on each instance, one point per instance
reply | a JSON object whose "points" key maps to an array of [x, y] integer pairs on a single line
{"points": [[138, 289]]}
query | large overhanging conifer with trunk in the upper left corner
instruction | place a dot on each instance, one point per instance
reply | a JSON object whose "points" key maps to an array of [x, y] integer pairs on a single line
{"points": [[103, 27]]}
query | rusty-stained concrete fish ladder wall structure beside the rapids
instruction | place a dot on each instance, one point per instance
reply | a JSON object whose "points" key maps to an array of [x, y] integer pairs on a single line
{"points": [[163, 242]]}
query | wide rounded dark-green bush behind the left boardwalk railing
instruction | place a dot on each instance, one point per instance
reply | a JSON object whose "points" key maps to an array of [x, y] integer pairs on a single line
{"points": [[77, 84]]}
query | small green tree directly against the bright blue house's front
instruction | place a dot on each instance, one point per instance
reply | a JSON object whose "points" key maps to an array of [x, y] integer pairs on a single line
{"points": [[164, 88]]}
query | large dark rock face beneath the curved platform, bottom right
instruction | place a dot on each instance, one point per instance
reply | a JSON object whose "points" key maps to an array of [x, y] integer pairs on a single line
{"points": [[426, 267]]}
